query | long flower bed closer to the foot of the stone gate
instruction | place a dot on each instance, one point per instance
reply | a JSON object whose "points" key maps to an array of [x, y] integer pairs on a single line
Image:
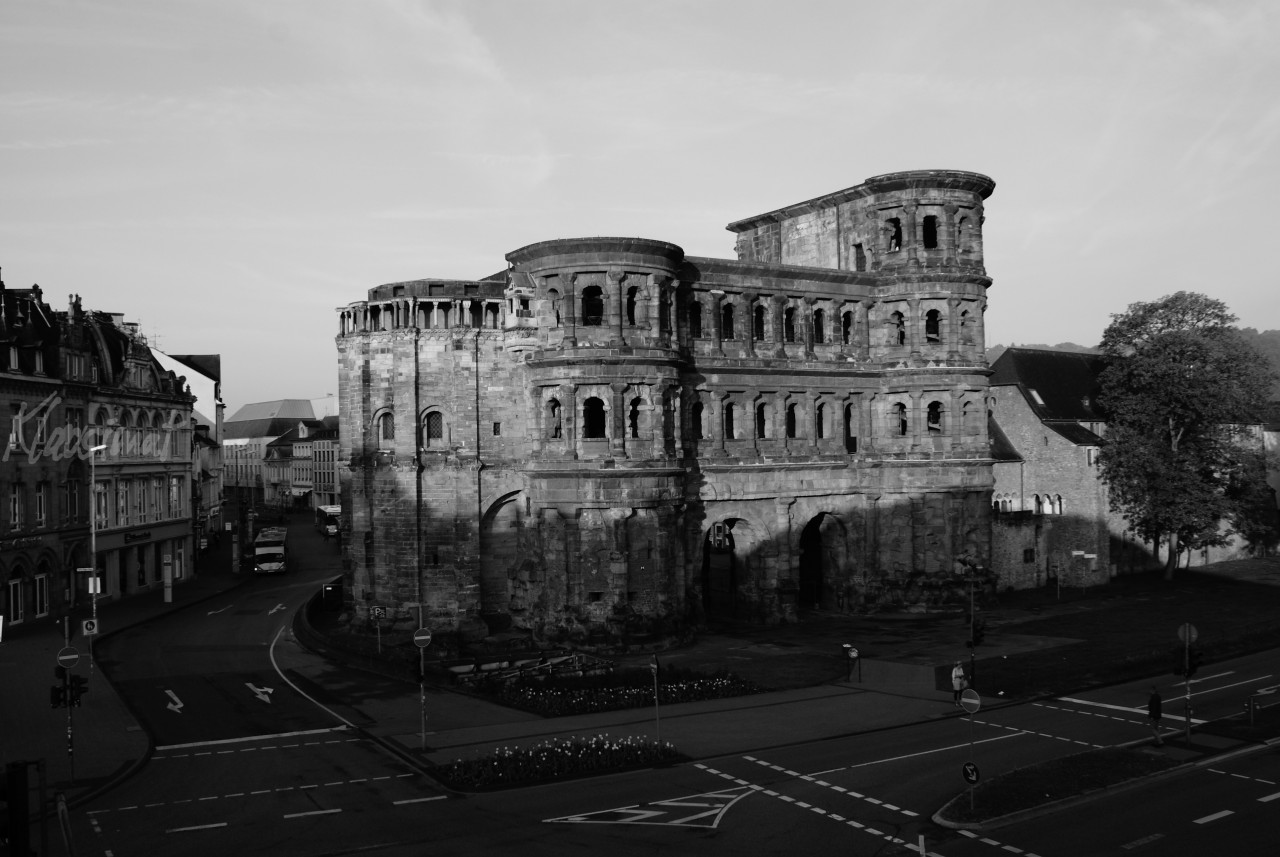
{"points": [[555, 698]]}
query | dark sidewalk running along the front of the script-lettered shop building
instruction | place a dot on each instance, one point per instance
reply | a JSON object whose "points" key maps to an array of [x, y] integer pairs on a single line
{"points": [[108, 741]]}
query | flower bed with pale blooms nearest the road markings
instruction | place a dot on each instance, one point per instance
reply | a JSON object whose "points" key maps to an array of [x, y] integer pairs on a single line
{"points": [[555, 759]]}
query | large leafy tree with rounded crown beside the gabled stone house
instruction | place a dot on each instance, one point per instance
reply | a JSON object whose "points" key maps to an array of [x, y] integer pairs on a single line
{"points": [[1181, 391]]}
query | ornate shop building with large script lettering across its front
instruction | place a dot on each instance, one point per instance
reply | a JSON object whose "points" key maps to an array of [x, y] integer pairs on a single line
{"points": [[99, 455]]}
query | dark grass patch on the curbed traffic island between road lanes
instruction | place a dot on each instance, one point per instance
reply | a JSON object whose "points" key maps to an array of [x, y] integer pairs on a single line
{"points": [[1036, 786]]}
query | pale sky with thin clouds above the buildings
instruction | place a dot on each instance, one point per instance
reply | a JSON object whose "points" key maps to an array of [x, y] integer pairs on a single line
{"points": [[228, 173]]}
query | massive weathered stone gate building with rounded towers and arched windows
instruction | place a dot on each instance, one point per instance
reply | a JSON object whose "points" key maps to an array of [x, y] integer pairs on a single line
{"points": [[615, 438]]}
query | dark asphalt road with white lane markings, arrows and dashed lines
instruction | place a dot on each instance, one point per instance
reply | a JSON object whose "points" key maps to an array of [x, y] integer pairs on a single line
{"points": [[245, 764]]}
